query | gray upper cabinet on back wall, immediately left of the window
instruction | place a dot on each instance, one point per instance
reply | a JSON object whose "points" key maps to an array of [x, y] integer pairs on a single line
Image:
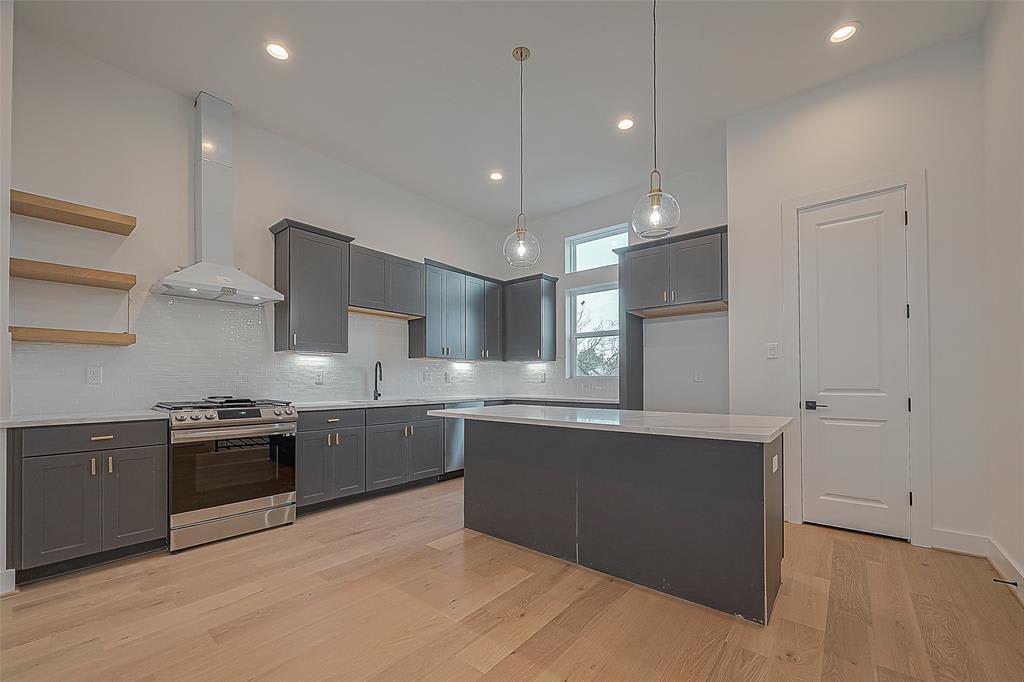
{"points": [[530, 319]]}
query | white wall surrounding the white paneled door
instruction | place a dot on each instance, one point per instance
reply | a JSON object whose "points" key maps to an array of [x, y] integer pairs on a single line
{"points": [[921, 112]]}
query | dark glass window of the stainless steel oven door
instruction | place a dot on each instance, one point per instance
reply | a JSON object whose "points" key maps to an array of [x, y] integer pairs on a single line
{"points": [[210, 474]]}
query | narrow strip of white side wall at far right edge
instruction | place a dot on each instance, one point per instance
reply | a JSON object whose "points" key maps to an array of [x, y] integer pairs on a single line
{"points": [[1005, 305]]}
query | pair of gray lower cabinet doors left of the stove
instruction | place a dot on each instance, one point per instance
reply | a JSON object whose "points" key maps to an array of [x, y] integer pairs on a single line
{"points": [[84, 503]]}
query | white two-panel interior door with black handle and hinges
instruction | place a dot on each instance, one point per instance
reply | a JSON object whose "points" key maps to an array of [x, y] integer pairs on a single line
{"points": [[855, 364]]}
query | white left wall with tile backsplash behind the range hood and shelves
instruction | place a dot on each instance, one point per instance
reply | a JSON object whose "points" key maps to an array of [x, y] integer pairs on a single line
{"points": [[89, 133]]}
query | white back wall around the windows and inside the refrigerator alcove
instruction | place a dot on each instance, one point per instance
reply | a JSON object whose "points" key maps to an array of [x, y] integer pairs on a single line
{"points": [[702, 197]]}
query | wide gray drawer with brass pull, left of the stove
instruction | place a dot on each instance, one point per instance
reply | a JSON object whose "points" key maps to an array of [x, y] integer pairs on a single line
{"points": [[89, 438]]}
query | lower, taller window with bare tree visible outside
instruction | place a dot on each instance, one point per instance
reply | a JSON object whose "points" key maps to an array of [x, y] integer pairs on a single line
{"points": [[593, 334]]}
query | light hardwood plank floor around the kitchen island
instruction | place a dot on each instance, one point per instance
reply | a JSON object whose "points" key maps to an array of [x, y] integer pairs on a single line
{"points": [[394, 589]]}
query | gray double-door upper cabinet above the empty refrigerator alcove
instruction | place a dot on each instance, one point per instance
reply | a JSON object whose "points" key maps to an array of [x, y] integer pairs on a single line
{"points": [[691, 269]]}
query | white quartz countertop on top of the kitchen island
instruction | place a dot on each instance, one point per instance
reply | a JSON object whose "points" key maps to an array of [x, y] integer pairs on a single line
{"points": [[687, 425]]}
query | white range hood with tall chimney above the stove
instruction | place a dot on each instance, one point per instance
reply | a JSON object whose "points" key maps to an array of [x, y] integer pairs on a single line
{"points": [[214, 277]]}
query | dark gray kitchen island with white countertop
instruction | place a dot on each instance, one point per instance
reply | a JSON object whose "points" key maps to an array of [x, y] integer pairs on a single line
{"points": [[687, 504]]}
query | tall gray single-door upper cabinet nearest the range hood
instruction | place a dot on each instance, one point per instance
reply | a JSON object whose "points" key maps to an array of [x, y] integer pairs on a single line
{"points": [[312, 270]]}
